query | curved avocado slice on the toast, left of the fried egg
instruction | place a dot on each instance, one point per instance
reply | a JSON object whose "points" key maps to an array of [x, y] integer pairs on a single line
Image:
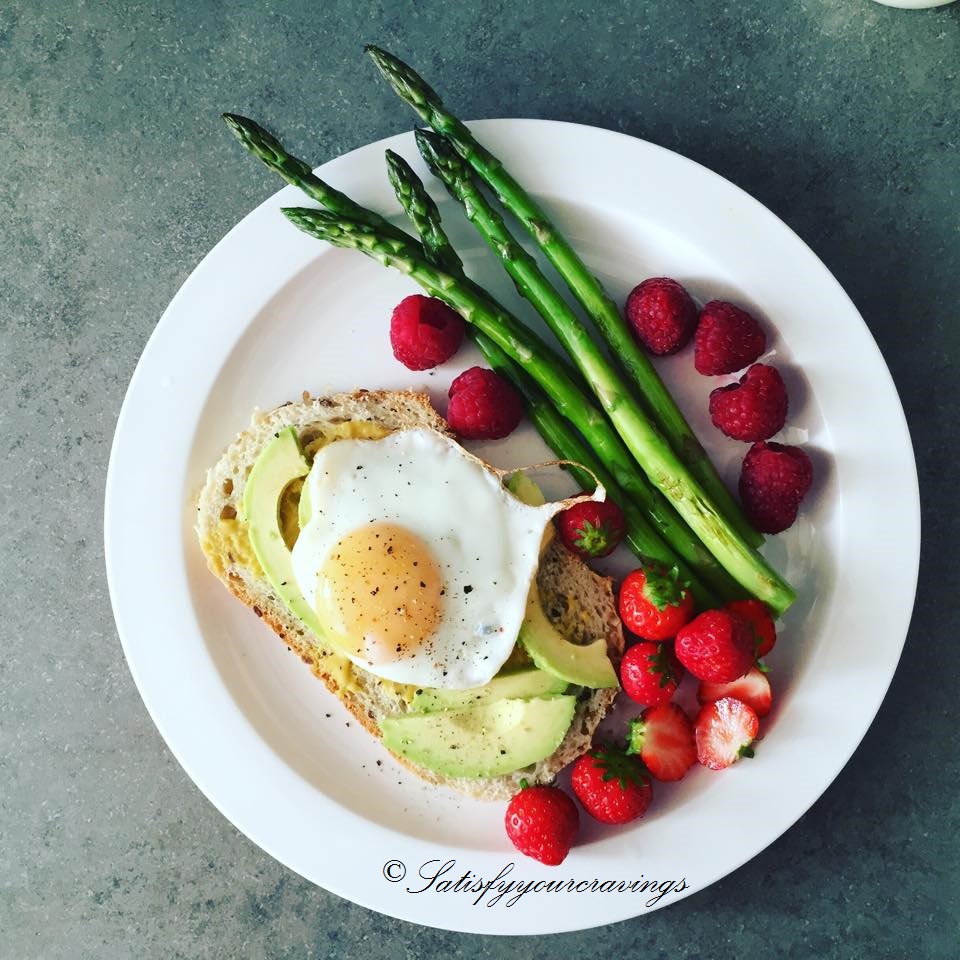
{"points": [[279, 464]]}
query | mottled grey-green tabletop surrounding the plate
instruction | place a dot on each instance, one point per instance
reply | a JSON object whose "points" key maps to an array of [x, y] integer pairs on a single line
{"points": [[840, 115]]}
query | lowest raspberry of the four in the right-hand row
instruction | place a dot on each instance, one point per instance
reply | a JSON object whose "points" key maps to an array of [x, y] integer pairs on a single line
{"points": [[774, 479]]}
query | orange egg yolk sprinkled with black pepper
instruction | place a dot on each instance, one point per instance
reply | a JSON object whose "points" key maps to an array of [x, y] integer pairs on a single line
{"points": [[381, 587]]}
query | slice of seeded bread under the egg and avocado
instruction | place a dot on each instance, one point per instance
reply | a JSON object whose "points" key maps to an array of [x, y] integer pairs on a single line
{"points": [[579, 602]]}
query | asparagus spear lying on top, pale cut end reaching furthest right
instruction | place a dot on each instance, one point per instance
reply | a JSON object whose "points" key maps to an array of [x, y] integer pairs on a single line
{"points": [[648, 446]]}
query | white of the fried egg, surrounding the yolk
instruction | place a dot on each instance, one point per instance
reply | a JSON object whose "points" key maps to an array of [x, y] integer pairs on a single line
{"points": [[485, 541]]}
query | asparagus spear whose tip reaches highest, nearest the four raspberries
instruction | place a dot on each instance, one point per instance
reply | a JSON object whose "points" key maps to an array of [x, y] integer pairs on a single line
{"points": [[414, 90]]}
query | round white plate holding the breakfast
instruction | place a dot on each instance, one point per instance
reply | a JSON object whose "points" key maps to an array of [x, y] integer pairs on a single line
{"points": [[270, 312]]}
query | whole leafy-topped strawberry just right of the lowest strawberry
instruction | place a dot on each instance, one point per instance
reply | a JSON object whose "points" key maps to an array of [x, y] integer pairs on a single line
{"points": [[612, 787]]}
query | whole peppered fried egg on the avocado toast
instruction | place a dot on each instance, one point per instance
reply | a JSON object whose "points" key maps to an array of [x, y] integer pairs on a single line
{"points": [[416, 558]]}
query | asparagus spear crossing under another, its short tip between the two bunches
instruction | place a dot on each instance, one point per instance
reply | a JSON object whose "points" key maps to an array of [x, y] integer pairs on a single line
{"points": [[641, 537]]}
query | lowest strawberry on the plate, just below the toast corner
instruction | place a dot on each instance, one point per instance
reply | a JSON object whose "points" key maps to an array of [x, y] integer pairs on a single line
{"points": [[542, 823]]}
